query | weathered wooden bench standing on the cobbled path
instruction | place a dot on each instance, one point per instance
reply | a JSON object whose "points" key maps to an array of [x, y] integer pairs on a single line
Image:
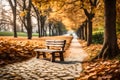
{"points": [[53, 47]]}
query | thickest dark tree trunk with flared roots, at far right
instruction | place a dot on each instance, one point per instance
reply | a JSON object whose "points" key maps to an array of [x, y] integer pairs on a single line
{"points": [[110, 47]]}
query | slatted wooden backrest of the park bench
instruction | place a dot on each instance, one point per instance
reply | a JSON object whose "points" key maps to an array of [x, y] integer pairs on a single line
{"points": [[56, 43]]}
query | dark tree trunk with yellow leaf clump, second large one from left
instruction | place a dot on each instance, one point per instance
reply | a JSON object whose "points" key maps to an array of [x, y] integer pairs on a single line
{"points": [[26, 17]]}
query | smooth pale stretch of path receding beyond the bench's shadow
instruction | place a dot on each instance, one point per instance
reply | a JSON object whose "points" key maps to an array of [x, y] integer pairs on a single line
{"points": [[77, 54]]}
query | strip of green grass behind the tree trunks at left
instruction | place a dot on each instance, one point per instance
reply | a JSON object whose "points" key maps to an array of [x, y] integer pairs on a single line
{"points": [[23, 34]]}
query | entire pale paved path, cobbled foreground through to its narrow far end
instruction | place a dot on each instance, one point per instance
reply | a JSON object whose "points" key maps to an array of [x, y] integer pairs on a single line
{"points": [[36, 69]]}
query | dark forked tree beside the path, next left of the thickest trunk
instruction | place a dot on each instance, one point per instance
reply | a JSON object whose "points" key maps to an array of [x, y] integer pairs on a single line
{"points": [[89, 11]]}
